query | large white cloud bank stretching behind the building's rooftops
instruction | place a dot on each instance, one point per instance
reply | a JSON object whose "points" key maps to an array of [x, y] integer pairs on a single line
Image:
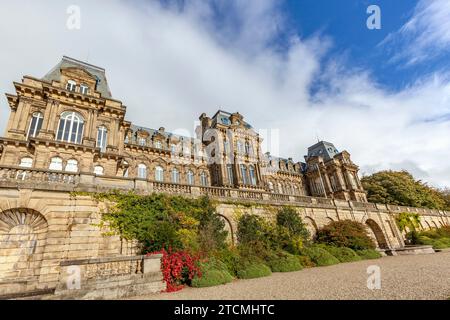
{"points": [[169, 65]]}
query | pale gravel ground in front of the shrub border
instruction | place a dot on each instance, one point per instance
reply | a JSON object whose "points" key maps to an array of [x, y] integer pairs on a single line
{"points": [[402, 277]]}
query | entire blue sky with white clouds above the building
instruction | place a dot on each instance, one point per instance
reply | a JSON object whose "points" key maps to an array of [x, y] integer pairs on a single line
{"points": [[297, 69]]}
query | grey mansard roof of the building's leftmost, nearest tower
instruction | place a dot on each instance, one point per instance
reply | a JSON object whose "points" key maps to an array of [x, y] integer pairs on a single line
{"points": [[97, 72]]}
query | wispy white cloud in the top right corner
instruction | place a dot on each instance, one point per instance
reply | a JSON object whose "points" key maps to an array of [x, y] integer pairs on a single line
{"points": [[425, 35]]}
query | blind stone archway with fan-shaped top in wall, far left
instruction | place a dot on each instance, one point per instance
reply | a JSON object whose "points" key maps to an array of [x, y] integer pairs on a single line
{"points": [[23, 235]]}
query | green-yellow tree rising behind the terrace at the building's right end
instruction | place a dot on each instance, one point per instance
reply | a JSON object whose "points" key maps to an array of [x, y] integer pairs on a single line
{"points": [[400, 188]]}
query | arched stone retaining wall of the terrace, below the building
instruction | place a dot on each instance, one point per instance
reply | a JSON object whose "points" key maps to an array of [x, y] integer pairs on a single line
{"points": [[42, 228]]}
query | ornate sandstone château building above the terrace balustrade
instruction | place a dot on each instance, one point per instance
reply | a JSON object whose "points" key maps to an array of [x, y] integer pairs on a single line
{"points": [[68, 121]]}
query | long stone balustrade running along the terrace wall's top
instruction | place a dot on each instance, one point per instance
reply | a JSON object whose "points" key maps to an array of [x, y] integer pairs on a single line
{"points": [[14, 177]]}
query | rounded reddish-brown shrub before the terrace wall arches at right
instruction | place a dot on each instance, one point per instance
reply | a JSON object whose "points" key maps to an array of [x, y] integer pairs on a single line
{"points": [[345, 233]]}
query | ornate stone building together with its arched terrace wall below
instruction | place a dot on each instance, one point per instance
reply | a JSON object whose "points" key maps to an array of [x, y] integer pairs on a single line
{"points": [[66, 133]]}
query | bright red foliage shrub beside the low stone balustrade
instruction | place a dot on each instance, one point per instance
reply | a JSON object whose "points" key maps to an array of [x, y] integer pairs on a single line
{"points": [[178, 268]]}
